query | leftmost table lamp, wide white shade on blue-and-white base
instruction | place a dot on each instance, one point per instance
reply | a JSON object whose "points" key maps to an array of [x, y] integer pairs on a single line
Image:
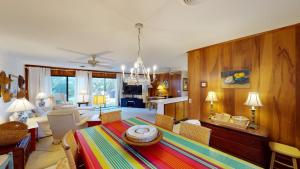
{"points": [[19, 106]]}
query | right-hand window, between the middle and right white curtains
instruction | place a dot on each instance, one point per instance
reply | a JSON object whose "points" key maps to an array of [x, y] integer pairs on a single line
{"points": [[107, 87]]}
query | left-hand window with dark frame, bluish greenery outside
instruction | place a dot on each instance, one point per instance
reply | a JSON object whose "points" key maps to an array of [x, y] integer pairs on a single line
{"points": [[65, 85]]}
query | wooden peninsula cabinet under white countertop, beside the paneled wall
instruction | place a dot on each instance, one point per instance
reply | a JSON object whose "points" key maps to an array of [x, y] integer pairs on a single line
{"points": [[177, 110]]}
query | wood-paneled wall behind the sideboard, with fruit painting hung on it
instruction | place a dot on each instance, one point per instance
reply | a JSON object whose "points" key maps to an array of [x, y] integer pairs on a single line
{"points": [[273, 59]]}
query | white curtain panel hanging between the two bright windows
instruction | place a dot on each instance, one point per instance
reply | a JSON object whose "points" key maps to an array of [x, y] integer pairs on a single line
{"points": [[83, 86]]}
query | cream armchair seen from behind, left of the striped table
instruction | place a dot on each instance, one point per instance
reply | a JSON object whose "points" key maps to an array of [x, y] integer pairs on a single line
{"points": [[63, 120]]}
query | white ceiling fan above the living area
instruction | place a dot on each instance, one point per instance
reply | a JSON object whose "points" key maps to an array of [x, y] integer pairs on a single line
{"points": [[92, 59]]}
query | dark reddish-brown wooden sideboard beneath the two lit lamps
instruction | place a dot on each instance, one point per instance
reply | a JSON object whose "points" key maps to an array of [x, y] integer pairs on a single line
{"points": [[252, 148]]}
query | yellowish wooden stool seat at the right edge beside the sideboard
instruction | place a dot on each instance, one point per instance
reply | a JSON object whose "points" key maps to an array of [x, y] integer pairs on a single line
{"points": [[284, 149]]}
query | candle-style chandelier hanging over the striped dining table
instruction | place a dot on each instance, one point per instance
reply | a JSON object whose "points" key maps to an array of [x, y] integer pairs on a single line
{"points": [[139, 74]]}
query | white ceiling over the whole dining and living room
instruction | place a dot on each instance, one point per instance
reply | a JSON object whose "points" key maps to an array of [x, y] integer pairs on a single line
{"points": [[35, 29]]}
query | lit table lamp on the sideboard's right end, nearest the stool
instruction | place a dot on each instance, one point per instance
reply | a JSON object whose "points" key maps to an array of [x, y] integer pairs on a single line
{"points": [[253, 101]]}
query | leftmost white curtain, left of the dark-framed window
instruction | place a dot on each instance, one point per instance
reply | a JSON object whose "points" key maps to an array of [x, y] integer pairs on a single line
{"points": [[39, 80]]}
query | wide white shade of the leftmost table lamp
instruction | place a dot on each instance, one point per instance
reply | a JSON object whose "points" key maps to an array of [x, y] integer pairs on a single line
{"points": [[20, 105]]}
